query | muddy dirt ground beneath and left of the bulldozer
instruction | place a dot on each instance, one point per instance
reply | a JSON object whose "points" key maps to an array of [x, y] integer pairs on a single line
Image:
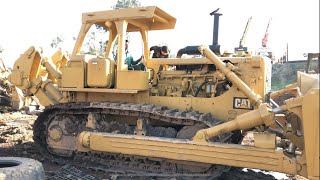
{"points": [[16, 140]]}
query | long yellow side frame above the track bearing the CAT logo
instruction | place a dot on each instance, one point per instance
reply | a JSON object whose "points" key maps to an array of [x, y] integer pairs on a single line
{"points": [[221, 107]]}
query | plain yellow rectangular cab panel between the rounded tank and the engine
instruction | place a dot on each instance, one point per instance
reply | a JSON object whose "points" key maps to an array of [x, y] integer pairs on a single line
{"points": [[136, 80]]}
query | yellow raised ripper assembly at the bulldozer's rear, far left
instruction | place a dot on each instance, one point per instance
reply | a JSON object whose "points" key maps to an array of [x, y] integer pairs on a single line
{"points": [[26, 75]]}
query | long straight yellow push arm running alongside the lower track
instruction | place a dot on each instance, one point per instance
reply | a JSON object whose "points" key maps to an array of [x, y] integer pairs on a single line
{"points": [[225, 154]]}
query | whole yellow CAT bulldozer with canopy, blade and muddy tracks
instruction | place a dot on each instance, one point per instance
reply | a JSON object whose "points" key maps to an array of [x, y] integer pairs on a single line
{"points": [[181, 116]]}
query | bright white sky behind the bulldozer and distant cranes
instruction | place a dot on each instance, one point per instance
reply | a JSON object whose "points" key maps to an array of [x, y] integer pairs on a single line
{"points": [[296, 22]]}
